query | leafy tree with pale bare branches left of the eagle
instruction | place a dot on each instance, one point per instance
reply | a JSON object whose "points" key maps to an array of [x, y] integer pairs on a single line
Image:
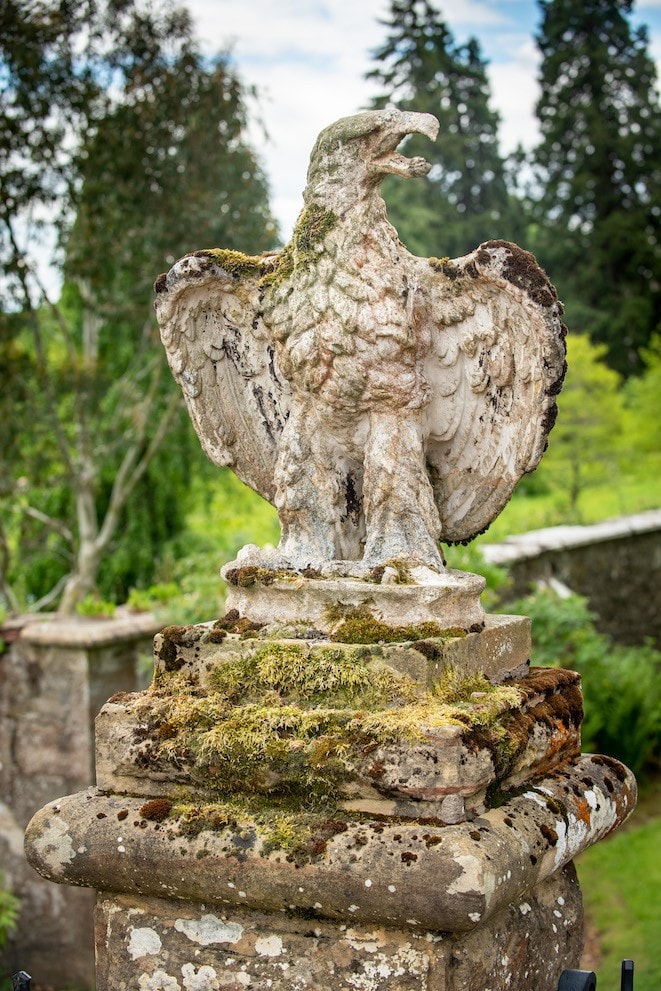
{"points": [[119, 138]]}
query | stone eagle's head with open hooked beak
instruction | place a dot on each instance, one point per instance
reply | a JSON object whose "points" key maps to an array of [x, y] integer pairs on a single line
{"points": [[355, 154]]}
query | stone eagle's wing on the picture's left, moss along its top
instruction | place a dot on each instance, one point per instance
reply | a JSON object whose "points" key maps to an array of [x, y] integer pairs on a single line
{"points": [[221, 354]]}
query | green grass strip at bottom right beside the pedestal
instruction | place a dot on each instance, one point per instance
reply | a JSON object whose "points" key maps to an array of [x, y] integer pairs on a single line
{"points": [[621, 882]]}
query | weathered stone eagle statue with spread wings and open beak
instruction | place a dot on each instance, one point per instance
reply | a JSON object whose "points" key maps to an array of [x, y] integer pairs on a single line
{"points": [[382, 402]]}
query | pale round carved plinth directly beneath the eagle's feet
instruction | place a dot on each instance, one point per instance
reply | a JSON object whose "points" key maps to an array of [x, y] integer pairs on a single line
{"points": [[451, 599]]}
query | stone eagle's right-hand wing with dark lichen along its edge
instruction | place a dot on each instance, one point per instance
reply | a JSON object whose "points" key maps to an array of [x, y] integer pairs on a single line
{"points": [[496, 363]]}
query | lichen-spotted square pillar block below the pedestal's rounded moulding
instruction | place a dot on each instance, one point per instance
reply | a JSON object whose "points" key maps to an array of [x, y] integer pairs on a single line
{"points": [[155, 944]]}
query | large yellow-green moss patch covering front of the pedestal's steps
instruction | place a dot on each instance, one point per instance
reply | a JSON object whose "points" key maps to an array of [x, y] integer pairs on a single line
{"points": [[294, 723]]}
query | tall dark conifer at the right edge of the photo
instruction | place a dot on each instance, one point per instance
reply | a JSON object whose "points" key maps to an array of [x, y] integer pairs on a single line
{"points": [[598, 168]]}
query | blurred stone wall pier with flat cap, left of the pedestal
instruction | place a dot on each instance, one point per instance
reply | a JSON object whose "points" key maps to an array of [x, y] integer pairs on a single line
{"points": [[54, 677]]}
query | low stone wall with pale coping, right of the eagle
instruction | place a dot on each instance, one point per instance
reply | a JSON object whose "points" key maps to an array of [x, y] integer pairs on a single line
{"points": [[616, 565]]}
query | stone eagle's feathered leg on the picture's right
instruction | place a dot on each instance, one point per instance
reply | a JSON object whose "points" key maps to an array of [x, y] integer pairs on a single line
{"points": [[401, 517]]}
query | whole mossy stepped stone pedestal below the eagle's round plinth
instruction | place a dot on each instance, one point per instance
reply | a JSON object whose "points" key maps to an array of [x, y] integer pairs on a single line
{"points": [[299, 811]]}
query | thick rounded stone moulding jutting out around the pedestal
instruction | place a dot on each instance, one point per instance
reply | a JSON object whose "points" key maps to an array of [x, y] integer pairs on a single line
{"points": [[356, 871]]}
